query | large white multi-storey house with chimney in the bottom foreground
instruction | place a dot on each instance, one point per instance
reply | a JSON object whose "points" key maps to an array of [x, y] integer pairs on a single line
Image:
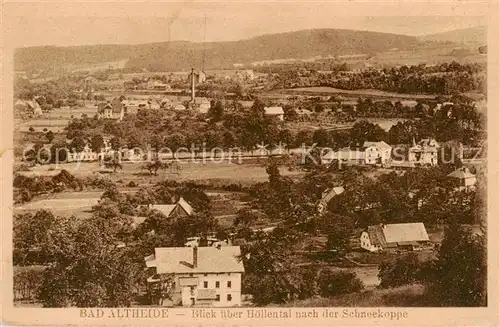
{"points": [[196, 276]]}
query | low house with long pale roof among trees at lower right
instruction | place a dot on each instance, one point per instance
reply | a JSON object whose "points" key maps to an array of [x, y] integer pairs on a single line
{"points": [[395, 237]]}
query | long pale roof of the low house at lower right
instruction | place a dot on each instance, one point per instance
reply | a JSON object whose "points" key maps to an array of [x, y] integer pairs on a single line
{"points": [[397, 233]]}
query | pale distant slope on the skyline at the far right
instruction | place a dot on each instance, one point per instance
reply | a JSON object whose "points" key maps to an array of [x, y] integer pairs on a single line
{"points": [[473, 35]]}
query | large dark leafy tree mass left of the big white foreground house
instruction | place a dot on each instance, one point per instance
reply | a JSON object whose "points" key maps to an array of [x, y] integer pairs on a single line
{"points": [[91, 271]]}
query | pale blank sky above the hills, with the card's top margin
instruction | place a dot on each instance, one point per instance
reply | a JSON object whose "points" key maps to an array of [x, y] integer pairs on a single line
{"points": [[53, 23]]}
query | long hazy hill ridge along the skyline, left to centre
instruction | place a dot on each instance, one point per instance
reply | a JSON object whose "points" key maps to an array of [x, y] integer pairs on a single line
{"points": [[180, 55]]}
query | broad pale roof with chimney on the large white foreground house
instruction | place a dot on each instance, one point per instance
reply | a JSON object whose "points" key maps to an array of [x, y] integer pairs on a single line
{"points": [[210, 259]]}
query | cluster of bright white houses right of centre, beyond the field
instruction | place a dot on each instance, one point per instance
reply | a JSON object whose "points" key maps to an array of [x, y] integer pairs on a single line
{"points": [[424, 153]]}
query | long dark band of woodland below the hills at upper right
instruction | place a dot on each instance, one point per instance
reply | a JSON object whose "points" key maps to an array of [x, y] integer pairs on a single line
{"points": [[446, 78]]}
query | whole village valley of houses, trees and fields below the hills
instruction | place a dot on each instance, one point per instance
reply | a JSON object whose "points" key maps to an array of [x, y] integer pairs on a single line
{"points": [[319, 182]]}
